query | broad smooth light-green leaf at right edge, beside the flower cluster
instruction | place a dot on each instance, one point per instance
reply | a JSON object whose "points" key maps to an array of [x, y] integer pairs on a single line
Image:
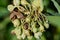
{"points": [[55, 21]]}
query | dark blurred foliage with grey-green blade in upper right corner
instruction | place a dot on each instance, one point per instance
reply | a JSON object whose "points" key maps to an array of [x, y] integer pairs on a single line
{"points": [[51, 7]]}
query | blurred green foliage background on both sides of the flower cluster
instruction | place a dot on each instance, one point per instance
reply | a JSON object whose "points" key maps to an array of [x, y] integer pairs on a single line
{"points": [[51, 10]]}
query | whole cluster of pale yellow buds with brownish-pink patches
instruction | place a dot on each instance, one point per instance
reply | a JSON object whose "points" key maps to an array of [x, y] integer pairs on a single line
{"points": [[27, 18]]}
